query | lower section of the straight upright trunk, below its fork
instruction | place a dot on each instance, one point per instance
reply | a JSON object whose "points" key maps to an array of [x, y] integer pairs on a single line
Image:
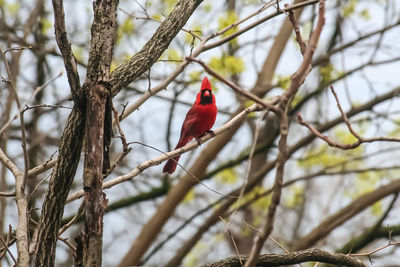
{"points": [[90, 241]]}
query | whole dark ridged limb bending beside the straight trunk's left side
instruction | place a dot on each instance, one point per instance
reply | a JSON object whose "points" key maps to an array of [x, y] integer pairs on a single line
{"points": [[46, 233]]}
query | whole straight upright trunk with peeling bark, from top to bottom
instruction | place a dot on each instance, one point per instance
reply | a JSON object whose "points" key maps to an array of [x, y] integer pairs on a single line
{"points": [[98, 110]]}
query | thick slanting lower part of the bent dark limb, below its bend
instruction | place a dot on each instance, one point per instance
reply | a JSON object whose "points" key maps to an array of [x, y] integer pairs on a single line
{"points": [[59, 185]]}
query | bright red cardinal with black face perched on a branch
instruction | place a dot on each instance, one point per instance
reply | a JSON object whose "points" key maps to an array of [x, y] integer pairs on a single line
{"points": [[199, 119]]}
